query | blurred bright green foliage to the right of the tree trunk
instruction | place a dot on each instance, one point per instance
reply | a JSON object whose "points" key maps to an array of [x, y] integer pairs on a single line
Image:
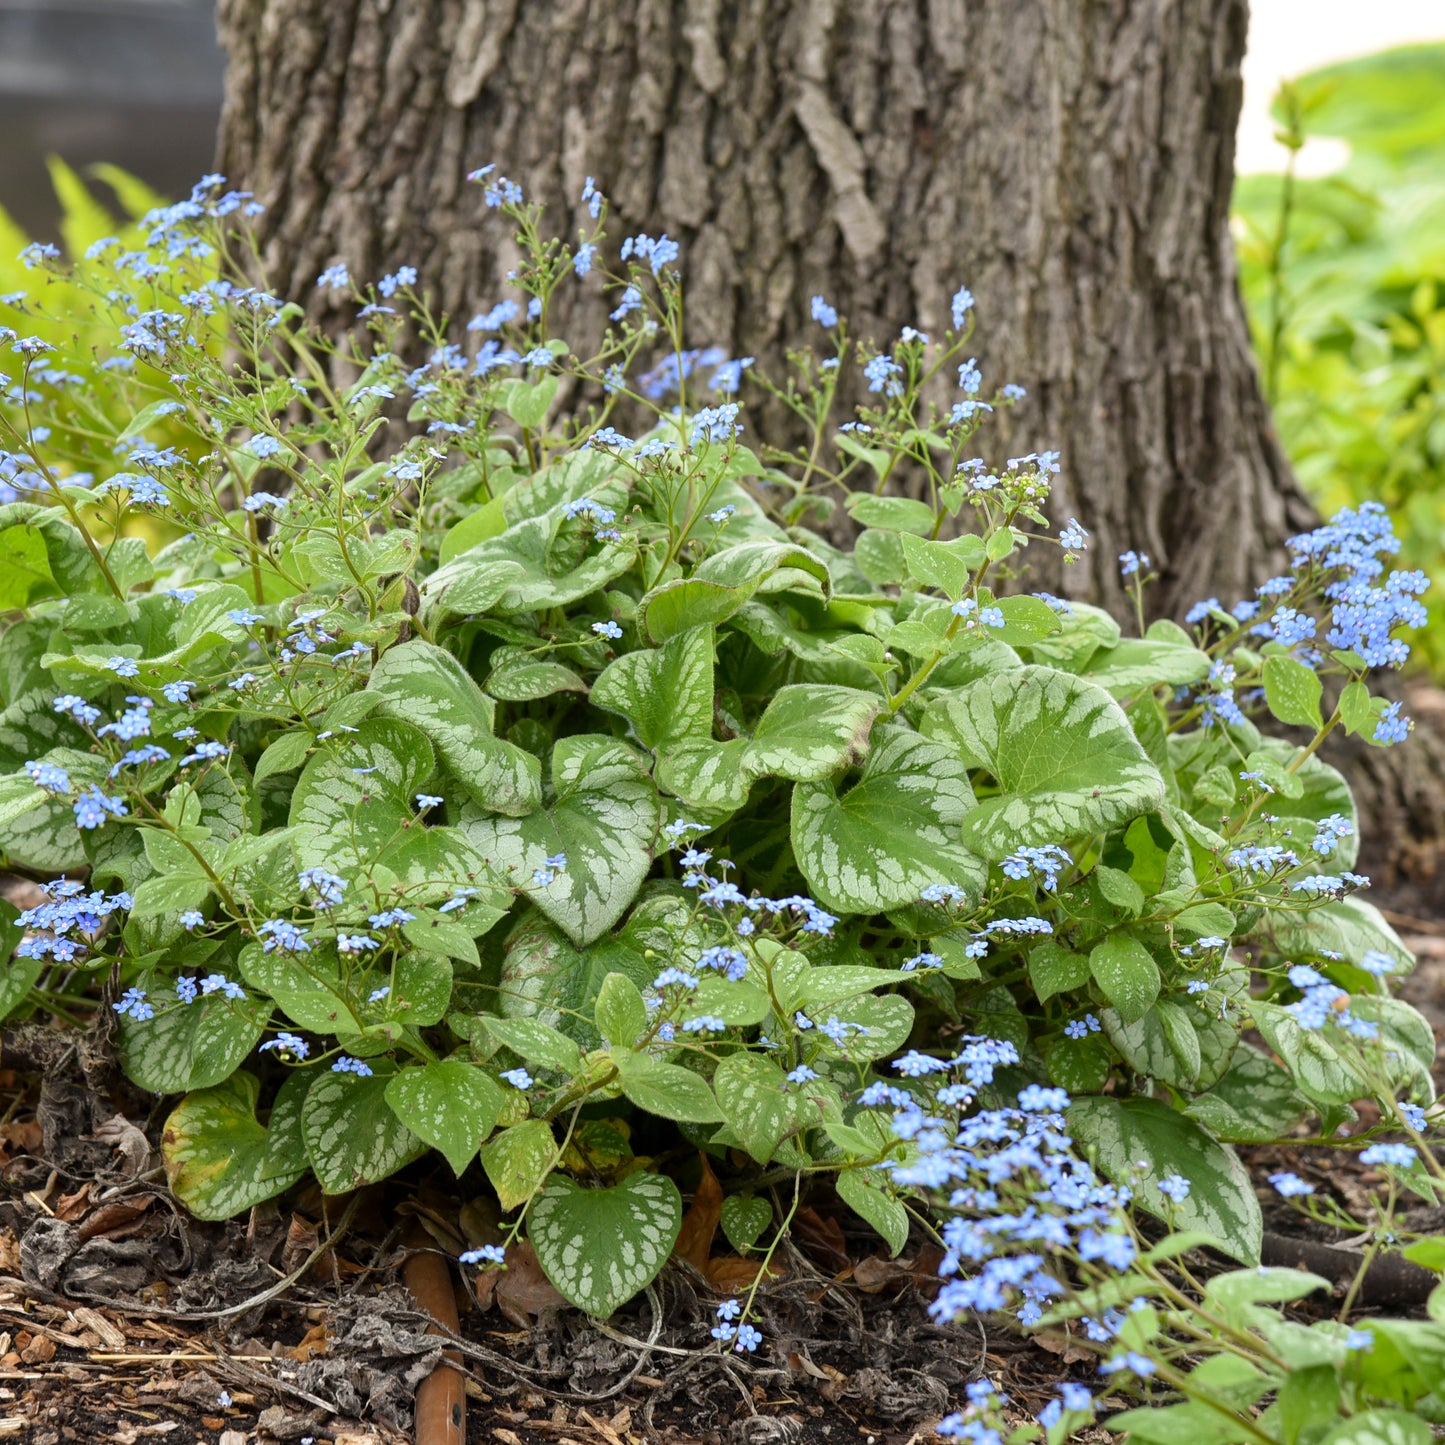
{"points": [[1345, 281]]}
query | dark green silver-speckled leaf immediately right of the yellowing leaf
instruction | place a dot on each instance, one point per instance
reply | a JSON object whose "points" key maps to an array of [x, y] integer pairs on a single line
{"points": [[353, 1136]]}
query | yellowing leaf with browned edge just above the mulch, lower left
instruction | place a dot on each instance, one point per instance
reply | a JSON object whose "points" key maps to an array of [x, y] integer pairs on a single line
{"points": [[220, 1161]]}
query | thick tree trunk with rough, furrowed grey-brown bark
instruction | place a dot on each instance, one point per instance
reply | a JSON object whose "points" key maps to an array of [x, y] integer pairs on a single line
{"points": [[1071, 161]]}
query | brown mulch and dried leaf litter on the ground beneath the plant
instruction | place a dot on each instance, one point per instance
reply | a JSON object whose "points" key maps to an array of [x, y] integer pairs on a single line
{"points": [[122, 1320]]}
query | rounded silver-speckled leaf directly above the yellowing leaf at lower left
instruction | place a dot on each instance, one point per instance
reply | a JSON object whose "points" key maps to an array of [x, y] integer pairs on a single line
{"points": [[191, 1047]]}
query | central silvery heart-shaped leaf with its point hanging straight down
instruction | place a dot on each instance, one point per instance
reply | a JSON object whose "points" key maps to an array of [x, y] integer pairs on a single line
{"points": [[603, 817]]}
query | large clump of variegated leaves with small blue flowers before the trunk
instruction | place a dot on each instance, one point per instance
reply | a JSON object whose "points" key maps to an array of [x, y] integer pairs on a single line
{"points": [[488, 784]]}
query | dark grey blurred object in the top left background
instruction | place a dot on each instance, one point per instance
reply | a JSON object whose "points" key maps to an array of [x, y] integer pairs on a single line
{"points": [[137, 83]]}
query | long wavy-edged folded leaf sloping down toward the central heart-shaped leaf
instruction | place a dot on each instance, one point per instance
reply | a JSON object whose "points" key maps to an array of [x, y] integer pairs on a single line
{"points": [[427, 687]]}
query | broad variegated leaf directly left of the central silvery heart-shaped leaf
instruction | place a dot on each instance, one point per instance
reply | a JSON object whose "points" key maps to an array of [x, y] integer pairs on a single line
{"points": [[353, 803]]}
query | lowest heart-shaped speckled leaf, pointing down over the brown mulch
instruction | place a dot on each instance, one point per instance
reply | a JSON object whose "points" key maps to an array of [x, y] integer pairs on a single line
{"points": [[602, 1246]]}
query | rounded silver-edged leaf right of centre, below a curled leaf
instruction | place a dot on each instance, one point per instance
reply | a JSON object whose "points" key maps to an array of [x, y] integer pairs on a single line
{"points": [[895, 832]]}
